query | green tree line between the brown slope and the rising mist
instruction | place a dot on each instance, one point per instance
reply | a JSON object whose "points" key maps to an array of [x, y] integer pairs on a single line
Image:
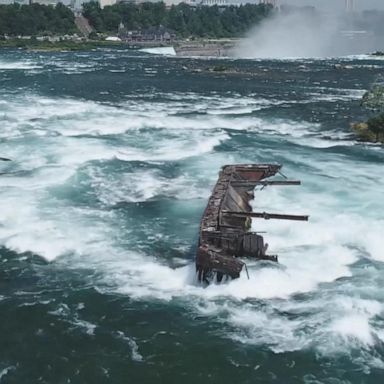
{"points": [[184, 20]]}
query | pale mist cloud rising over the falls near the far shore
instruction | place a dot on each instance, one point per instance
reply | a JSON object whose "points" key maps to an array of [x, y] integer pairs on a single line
{"points": [[305, 33]]}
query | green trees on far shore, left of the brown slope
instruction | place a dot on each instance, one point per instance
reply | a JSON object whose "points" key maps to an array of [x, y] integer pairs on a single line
{"points": [[34, 19]]}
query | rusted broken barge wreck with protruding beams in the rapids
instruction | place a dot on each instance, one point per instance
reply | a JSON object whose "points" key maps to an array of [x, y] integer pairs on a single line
{"points": [[225, 227]]}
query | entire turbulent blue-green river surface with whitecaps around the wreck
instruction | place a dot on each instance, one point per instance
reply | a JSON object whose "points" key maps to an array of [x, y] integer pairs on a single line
{"points": [[114, 156]]}
